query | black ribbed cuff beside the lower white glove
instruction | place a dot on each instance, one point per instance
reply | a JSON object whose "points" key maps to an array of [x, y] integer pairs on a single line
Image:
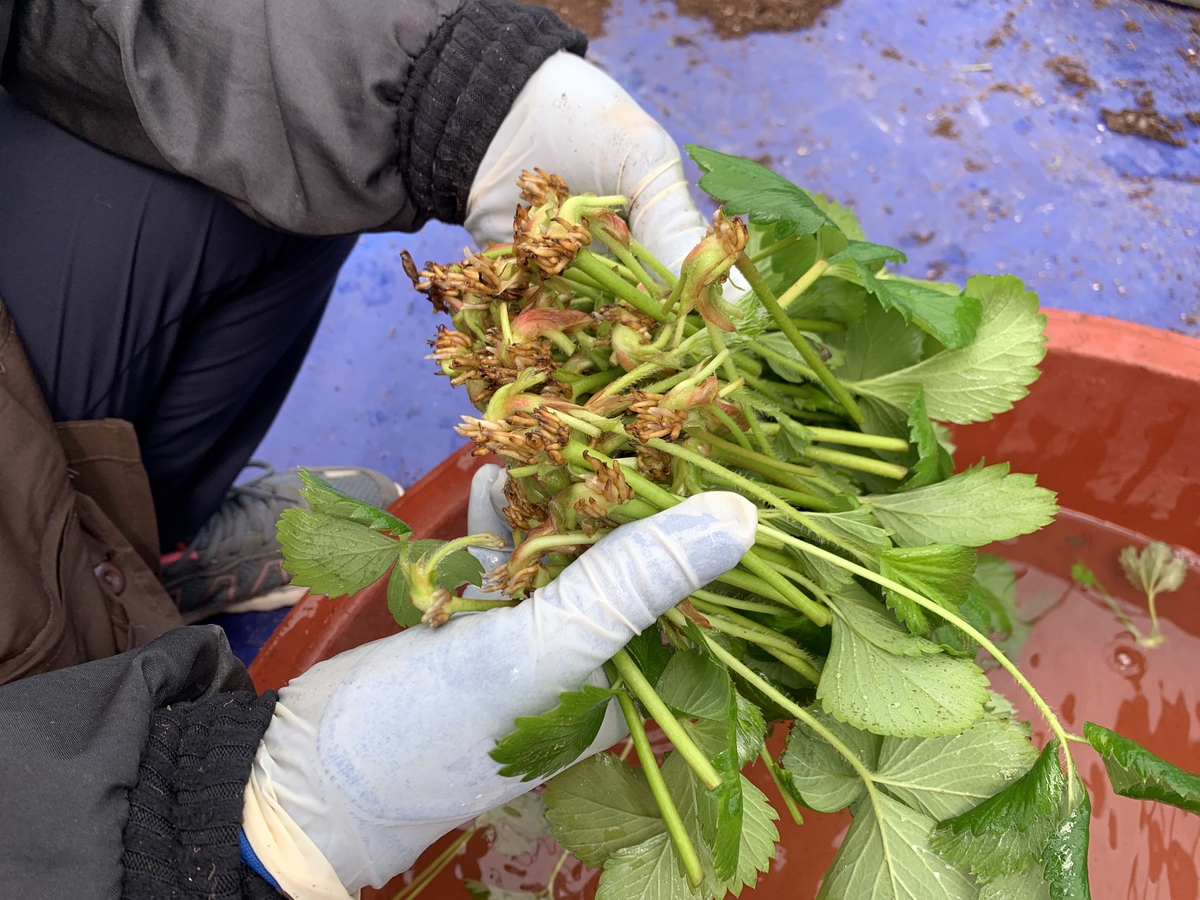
{"points": [[182, 841]]}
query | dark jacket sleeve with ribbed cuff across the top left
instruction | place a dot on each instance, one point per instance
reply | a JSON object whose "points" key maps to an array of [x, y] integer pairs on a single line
{"points": [[319, 117]]}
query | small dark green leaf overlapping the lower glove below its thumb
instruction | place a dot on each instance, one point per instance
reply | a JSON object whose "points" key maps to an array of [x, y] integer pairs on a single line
{"points": [[549, 743]]}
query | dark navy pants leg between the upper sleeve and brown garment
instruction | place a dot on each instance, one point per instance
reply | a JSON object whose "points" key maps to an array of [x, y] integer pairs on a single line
{"points": [[147, 297]]}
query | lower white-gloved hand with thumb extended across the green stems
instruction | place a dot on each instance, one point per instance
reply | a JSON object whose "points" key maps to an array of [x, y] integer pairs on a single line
{"points": [[376, 753]]}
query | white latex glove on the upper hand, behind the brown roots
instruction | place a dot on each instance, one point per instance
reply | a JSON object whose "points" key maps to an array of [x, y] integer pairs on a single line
{"points": [[573, 121]]}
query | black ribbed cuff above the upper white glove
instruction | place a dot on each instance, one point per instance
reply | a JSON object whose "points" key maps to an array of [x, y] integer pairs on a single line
{"points": [[461, 88]]}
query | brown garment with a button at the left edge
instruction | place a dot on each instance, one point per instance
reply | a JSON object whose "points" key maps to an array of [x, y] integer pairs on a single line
{"points": [[79, 538]]}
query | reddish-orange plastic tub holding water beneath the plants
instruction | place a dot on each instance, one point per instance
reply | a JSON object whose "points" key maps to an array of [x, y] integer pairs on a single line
{"points": [[1114, 427]]}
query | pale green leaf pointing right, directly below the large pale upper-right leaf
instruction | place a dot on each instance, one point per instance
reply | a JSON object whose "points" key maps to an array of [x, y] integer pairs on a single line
{"points": [[973, 508]]}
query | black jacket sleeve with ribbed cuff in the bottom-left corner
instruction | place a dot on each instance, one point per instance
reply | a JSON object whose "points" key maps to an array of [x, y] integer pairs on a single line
{"points": [[124, 778]]}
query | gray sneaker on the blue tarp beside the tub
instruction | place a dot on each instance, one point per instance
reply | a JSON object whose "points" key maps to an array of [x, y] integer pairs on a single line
{"points": [[235, 565]]}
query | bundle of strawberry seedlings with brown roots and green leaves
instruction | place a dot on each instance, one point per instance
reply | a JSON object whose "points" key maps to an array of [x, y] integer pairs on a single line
{"points": [[613, 389]]}
